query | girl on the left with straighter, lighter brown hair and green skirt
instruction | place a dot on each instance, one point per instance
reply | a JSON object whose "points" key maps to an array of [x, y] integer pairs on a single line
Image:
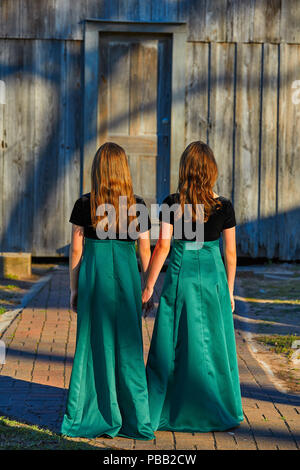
{"points": [[108, 388]]}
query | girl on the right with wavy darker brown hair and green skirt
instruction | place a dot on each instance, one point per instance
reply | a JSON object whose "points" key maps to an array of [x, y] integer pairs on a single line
{"points": [[192, 371]]}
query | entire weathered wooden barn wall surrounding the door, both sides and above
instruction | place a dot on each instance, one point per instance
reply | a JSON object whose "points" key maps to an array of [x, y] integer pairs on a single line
{"points": [[241, 62]]}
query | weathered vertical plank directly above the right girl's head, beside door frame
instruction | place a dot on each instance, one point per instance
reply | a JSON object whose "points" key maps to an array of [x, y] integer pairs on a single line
{"points": [[196, 106]]}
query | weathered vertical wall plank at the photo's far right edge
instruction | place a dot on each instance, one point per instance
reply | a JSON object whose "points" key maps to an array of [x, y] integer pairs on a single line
{"points": [[288, 219]]}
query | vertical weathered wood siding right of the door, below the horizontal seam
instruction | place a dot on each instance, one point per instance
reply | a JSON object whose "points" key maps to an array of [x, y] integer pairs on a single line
{"points": [[239, 99]]}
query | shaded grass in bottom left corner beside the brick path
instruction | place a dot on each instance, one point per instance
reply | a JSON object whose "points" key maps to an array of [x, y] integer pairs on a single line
{"points": [[18, 436]]}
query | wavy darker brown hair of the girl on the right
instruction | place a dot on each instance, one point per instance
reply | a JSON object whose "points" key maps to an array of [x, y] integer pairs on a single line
{"points": [[198, 173]]}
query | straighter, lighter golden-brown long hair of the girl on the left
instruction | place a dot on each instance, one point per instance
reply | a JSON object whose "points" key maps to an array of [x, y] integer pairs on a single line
{"points": [[110, 178]]}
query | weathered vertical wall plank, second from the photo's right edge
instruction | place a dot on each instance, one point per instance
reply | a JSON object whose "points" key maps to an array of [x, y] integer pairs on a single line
{"points": [[268, 238]]}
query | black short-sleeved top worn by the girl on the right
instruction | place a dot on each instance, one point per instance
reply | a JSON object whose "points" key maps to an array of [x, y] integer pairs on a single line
{"points": [[220, 219]]}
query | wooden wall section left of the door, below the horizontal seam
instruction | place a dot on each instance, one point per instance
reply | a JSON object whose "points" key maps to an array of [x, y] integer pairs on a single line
{"points": [[40, 143]]}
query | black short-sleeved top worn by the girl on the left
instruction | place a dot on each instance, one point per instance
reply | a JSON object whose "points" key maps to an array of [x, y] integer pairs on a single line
{"points": [[81, 215]]}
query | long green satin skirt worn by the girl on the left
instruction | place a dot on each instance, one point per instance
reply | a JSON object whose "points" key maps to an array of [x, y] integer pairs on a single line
{"points": [[108, 387]]}
